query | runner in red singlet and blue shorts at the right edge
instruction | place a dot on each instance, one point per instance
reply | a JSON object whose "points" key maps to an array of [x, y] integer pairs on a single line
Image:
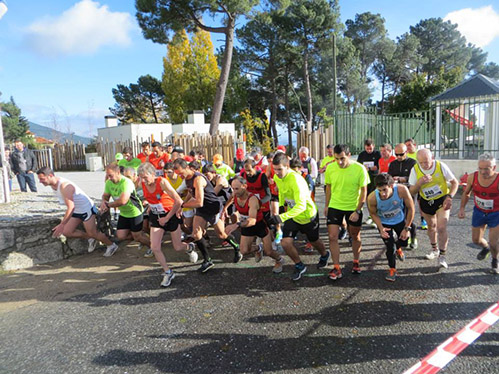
{"points": [[485, 186]]}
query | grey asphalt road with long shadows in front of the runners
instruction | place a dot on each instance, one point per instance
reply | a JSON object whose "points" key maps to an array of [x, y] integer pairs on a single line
{"points": [[91, 314]]}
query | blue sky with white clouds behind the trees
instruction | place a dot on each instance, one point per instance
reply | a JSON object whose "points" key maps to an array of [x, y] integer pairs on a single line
{"points": [[60, 59]]}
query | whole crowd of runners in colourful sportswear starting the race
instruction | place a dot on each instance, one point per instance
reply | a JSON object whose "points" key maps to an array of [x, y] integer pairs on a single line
{"points": [[271, 199]]}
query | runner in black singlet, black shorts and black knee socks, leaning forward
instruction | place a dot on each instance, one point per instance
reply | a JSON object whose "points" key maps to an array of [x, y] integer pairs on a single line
{"points": [[208, 210]]}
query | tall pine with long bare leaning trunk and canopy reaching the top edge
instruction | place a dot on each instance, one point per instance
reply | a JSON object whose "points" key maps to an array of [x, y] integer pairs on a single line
{"points": [[158, 18]]}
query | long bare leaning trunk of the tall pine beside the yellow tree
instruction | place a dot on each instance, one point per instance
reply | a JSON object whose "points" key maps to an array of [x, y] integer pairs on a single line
{"points": [[224, 77]]}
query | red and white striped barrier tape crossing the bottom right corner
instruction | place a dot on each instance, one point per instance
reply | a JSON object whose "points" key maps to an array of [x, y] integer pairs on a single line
{"points": [[449, 349]]}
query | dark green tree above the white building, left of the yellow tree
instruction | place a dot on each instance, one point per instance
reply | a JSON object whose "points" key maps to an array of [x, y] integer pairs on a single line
{"points": [[141, 102]]}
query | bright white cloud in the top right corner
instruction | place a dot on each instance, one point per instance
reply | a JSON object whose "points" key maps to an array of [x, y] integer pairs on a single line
{"points": [[480, 26]]}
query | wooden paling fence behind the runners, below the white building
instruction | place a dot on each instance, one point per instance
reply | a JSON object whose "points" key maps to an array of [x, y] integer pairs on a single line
{"points": [[223, 143]]}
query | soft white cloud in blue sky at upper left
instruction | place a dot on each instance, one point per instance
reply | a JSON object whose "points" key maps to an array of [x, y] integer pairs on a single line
{"points": [[80, 30]]}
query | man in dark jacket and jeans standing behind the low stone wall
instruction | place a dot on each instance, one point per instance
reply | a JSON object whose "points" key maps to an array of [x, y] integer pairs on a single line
{"points": [[23, 164]]}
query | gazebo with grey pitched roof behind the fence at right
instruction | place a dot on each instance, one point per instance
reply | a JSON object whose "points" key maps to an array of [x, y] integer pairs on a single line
{"points": [[467, 119]]}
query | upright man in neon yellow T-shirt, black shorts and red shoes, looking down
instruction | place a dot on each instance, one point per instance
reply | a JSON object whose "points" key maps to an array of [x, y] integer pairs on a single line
{"points": [[346, 192]]}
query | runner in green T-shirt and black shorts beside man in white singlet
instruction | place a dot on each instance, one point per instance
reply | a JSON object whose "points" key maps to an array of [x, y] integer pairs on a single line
{"points": [[125, 198]]}
